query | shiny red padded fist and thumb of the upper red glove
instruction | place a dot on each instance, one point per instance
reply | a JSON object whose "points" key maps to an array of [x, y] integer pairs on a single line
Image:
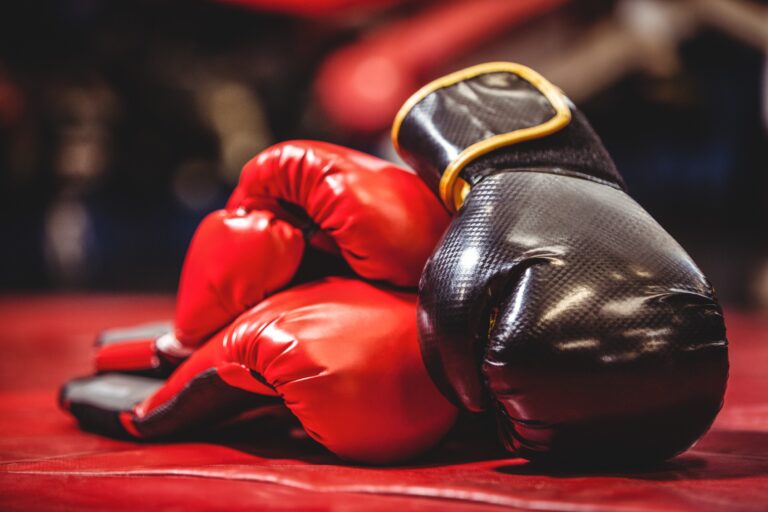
{"points": [[380, 218]]}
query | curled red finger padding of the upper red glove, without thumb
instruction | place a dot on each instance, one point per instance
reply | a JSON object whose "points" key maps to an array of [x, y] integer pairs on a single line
{"points": [[334, 185]]}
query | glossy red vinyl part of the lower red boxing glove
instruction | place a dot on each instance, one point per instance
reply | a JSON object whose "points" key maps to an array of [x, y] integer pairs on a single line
{"points": [[343, 355]]}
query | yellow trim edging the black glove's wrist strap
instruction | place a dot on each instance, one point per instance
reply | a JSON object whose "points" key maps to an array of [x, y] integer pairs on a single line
{"points": [[453, 190]]}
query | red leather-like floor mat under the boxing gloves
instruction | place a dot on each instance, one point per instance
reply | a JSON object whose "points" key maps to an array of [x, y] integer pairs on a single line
{"points": [[48, 464]]}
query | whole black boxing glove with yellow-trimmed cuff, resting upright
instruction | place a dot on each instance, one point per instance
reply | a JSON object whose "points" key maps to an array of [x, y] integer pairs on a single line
{"points": [[554, 298]]}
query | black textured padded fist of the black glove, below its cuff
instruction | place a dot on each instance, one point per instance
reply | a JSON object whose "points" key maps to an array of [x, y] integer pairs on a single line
{"points": [[564, 305]]}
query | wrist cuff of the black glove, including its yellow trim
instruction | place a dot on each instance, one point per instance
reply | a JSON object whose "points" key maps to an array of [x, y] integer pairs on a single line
{"points": [[493, 117]]}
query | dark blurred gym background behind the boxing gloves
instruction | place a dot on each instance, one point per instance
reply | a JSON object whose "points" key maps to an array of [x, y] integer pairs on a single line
{"points": [[123, 123]]}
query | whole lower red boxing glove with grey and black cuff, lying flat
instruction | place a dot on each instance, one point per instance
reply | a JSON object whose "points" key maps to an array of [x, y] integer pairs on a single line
{"points": [[342, 354]]}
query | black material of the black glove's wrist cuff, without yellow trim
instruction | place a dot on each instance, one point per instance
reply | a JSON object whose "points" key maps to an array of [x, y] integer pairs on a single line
{"points": [[449, 120]]}
